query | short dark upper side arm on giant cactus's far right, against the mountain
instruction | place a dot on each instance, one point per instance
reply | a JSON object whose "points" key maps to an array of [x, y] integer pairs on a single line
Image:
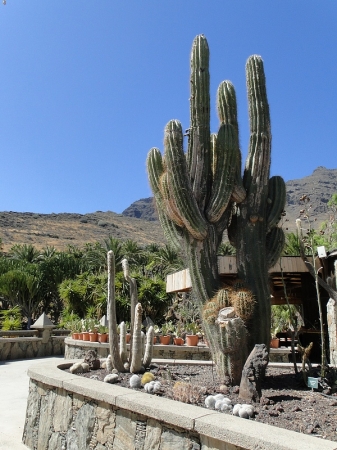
{"points": [[276, 200]]}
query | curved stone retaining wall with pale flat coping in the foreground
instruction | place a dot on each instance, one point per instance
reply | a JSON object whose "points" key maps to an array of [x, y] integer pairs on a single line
{"points": [[68, 412]]}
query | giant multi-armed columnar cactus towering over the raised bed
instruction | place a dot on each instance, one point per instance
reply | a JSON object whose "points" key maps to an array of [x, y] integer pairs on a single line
{"points": [[197, 193]]}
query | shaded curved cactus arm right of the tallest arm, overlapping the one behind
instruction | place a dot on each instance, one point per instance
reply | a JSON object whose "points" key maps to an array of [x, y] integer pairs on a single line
{"points": [[222, 187]]}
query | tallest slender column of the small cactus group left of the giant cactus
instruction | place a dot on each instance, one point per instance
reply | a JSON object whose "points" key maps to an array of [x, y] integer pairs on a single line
{"points": [[113, 335]]}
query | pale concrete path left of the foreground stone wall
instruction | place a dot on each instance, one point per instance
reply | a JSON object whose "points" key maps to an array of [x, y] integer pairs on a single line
{"points": [[14, 384]]}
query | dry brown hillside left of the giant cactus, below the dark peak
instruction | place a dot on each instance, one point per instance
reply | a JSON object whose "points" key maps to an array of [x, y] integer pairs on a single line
{"points": [[61, 230]]}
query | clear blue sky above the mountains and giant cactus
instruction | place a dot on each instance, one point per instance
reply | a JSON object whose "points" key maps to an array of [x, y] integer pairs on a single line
{"points": [[88, 86]]}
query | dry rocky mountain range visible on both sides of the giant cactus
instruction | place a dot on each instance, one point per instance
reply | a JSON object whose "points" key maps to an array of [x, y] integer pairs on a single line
{"points": [[140, 221]]}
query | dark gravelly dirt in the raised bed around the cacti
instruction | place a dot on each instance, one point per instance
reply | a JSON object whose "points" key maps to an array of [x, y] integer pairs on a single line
{"points": [[286, 401]]}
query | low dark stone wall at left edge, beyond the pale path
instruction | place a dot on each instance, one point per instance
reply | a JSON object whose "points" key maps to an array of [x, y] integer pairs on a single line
{"points": [[26, 347]]}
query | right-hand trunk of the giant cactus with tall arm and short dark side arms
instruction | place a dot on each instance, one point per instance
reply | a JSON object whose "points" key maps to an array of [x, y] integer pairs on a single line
{"points": [[253, 230]]}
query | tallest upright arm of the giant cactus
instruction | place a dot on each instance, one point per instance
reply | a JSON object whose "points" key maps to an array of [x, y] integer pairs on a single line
{"points": [[198, 155]]}
